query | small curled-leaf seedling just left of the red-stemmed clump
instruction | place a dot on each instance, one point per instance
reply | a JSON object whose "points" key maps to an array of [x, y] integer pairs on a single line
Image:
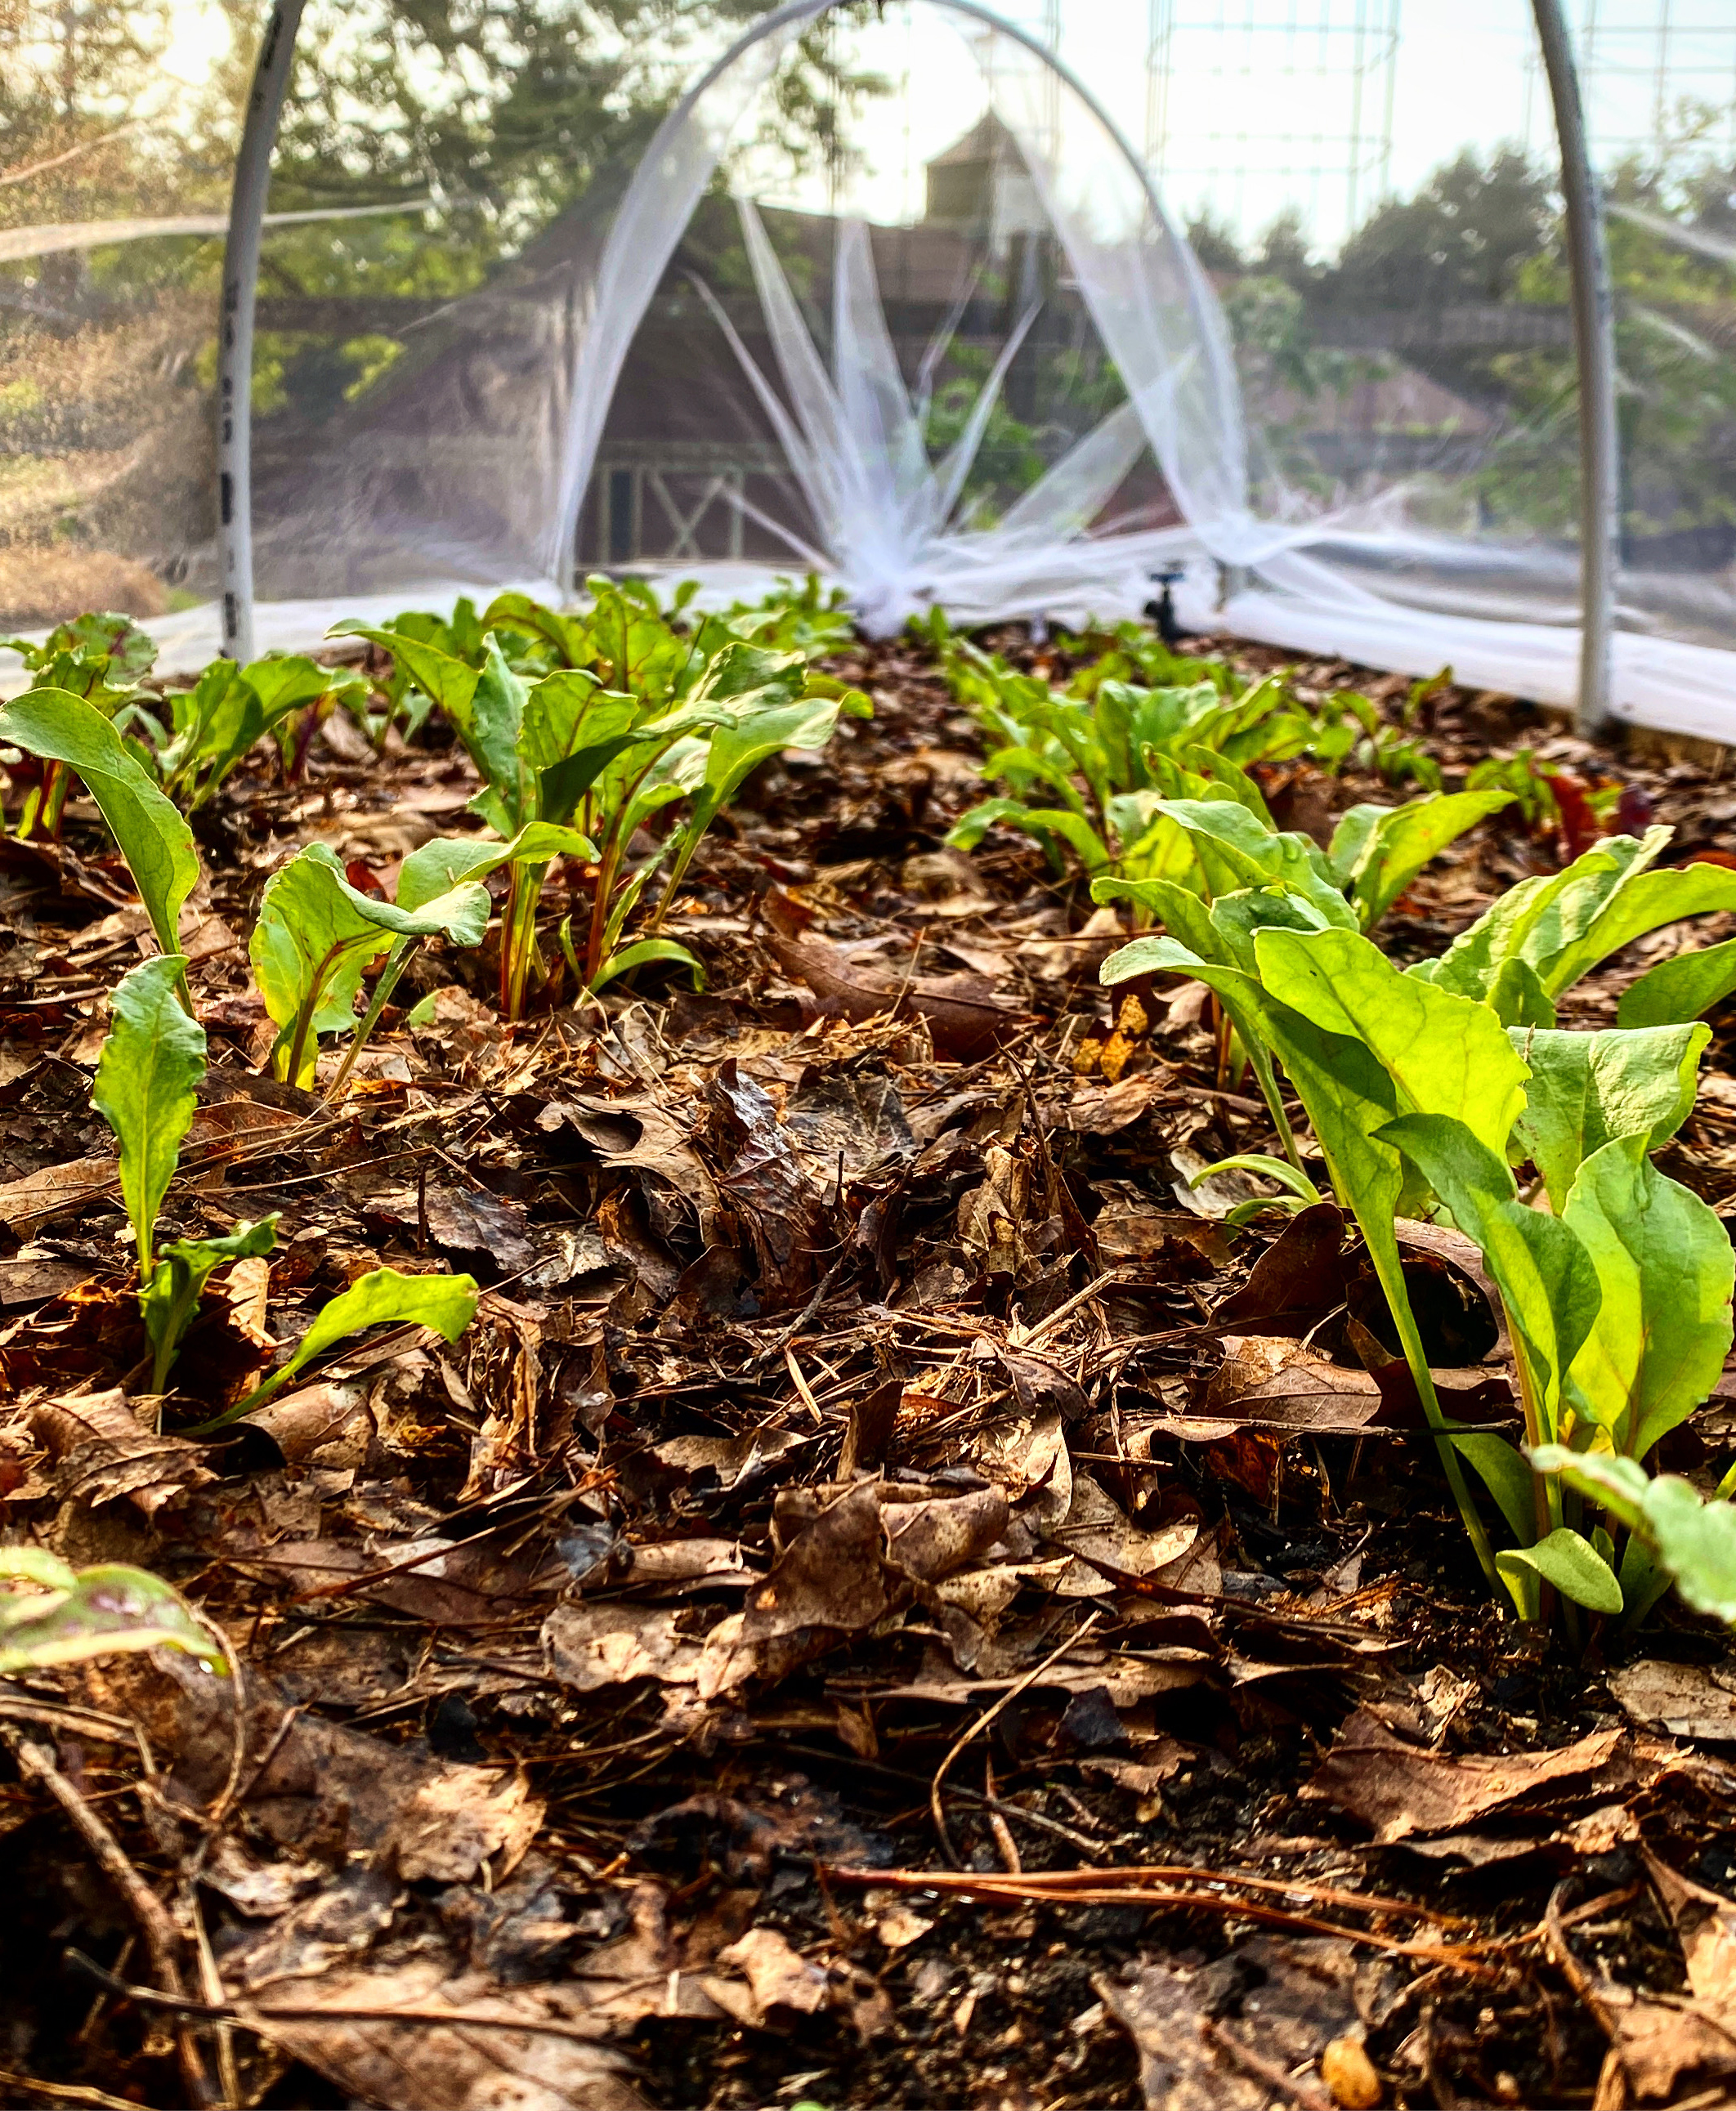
{"points": [[318, 934]]}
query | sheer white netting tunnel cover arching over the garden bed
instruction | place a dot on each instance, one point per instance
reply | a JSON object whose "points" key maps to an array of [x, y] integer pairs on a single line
{"points": [[985, 307]]}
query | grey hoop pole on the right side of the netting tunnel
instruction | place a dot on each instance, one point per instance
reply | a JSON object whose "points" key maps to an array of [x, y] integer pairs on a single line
{"points": [[1596, 360]]}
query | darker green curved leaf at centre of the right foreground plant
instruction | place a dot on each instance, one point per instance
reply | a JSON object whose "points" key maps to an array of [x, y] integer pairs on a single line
{"points": [[1545, 1274]]}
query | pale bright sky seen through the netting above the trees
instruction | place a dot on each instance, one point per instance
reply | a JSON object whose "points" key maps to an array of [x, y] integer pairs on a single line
{"points": [[1262, 94]]}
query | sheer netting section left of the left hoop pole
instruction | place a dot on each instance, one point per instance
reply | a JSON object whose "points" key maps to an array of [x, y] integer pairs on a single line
{"points": [[117, 132]]}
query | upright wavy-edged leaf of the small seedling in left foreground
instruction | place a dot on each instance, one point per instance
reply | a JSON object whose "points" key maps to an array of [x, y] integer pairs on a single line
{"points": [[147, 1088]]}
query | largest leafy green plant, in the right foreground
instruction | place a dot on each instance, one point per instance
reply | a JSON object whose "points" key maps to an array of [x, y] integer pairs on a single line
{"points": [[1619, 1297]]}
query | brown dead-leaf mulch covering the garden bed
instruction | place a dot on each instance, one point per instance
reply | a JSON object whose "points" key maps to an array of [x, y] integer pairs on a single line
{"points": [[892, 1603]]}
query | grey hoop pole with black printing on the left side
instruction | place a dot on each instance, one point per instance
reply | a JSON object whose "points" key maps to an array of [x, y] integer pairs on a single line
{"points": [[235, 335]]}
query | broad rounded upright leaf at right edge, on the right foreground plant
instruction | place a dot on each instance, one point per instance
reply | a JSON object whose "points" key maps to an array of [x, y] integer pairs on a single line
{"points": [[1665, 1272]]}
